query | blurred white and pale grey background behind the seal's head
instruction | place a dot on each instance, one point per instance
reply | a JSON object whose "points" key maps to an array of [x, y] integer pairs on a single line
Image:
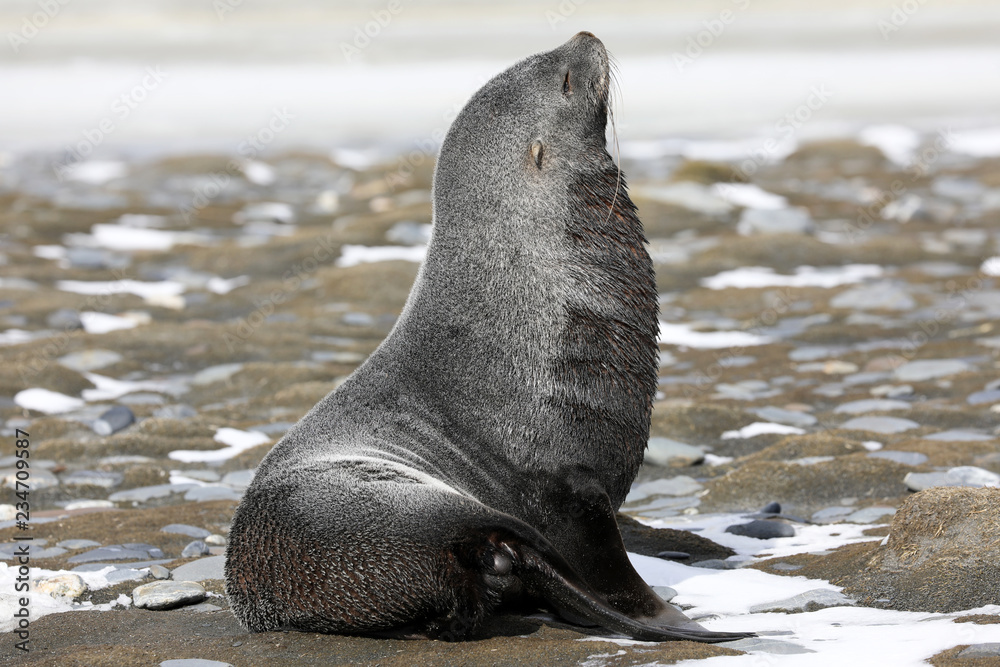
{"points": [[386, 74]]}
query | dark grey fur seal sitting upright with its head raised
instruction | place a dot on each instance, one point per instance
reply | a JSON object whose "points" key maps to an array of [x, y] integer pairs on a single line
{"points": [[476, 460]]}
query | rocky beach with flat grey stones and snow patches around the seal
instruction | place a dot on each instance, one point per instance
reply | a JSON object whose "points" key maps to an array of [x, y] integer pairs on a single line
{"points": [[824, 454]]}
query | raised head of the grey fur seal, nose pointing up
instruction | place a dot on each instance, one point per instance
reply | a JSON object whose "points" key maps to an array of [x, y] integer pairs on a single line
{"points": [[527, 133]]}
